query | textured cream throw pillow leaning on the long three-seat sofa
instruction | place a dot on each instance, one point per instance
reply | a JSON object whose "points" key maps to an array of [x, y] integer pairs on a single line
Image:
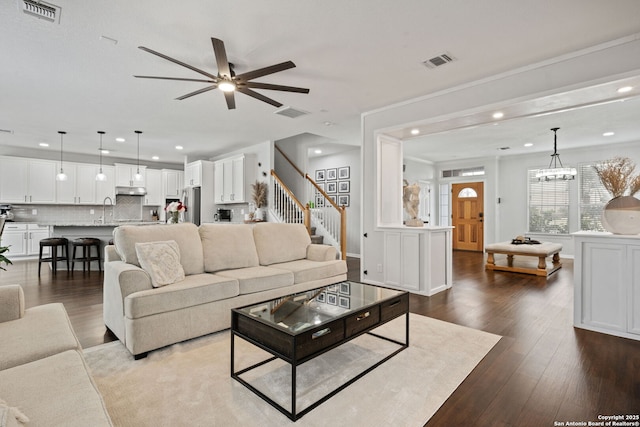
{"points": [[162, 261]]}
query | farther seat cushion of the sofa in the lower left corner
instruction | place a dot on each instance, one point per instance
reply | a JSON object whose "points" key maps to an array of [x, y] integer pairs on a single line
{"points": [[43, 331]]}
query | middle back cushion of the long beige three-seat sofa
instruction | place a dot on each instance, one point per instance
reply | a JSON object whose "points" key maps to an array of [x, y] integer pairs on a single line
{"points": [[228, 246]]}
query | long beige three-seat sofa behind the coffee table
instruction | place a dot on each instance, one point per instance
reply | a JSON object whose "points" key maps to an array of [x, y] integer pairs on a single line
{"points": [[225, 266]]}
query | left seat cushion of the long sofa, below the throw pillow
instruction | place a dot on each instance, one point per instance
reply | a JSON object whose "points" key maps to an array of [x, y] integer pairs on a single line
{"points": [[193, 290]]}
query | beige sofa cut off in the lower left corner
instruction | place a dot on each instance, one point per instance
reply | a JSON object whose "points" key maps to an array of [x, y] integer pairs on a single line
{"points": [[43, 376]]}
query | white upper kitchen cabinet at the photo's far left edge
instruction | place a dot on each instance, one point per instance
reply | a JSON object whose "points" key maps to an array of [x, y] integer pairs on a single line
{"points": [[27, 180]]}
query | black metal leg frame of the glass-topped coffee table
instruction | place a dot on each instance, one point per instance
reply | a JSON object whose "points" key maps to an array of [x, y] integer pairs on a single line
{"points": [[293, 415]]}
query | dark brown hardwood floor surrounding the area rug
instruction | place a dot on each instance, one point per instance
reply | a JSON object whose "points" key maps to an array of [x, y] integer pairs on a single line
{"points": [[543, 370]]}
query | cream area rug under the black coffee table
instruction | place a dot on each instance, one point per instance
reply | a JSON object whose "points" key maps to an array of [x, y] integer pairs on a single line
{"points": [[189, 384]]}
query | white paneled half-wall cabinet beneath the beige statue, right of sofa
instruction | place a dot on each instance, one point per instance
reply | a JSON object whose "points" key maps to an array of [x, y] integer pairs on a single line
{"points": [[418, 259]]}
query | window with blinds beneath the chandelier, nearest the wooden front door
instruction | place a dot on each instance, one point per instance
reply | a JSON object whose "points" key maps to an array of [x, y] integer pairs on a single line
{"points": [[548, 205]]}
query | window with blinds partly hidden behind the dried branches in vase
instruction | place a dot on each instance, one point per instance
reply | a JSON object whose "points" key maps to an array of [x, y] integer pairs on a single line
{"points": [[593, 197]]}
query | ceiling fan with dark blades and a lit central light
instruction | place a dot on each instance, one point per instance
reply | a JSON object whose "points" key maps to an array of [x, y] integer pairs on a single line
{"points": [[227, 81]]}
